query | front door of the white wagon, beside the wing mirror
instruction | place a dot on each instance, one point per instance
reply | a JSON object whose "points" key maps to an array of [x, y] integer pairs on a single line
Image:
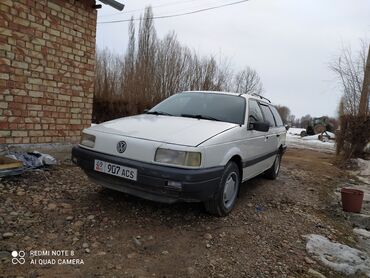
{"points": [[255, 146]]}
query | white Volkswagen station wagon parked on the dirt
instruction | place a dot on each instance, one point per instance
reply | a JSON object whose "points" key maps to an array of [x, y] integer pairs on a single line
{"points": [[193, 147]]}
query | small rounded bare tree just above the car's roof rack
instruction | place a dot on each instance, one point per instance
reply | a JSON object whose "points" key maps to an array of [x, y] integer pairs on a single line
{"points": [[248, 81]]}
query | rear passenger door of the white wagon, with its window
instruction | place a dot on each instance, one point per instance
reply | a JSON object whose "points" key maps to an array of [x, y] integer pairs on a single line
{"points": [[271, 138]]}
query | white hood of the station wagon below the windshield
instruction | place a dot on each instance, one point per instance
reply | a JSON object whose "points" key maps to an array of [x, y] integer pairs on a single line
{"points": [[166, 129]]}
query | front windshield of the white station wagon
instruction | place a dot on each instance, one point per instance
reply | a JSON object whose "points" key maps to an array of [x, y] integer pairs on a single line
{"points": [[209, 106]]}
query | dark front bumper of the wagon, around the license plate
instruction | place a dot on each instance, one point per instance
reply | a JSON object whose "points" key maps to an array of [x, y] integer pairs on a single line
{"points": [[152, 180]]}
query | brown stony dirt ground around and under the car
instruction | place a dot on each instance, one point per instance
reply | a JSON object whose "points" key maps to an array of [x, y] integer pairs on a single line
{"points": [[121, 236]]}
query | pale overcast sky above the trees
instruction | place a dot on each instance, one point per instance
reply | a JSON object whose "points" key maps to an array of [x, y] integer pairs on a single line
{"points": [[290, 43]]}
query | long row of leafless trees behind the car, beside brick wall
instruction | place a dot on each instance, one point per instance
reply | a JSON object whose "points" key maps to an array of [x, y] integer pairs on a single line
{"points": [[153, 69]]}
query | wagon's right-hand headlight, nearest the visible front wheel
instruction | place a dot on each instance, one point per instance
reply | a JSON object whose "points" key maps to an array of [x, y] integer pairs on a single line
{"points": [[192, 159]]}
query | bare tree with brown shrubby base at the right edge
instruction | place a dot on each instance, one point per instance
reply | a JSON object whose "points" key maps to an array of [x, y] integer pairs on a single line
{"points": [[353, 70]]}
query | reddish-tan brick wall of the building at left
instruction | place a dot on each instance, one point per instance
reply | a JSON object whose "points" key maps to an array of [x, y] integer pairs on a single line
{"points": [[47, 62]]}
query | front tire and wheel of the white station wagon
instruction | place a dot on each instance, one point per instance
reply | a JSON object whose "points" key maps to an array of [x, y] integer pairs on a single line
{"points": [[225, 198]]}
